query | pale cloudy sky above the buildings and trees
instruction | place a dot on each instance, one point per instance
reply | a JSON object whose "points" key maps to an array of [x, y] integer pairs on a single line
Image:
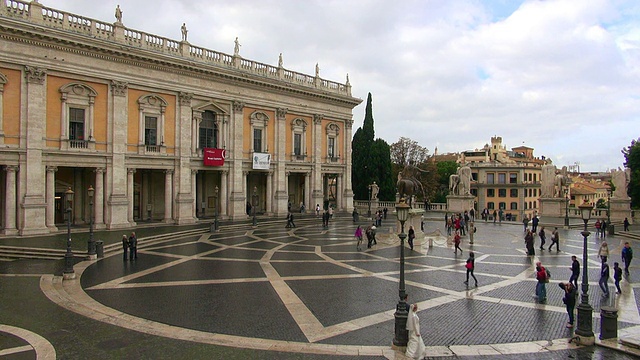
{"points": [[560, 76]]}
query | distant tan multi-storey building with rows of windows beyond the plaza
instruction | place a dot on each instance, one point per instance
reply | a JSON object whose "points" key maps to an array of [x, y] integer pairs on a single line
{"points": [[504, 179]]}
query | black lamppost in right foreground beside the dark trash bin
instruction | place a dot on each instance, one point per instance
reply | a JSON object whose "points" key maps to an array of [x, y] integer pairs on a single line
{"points": [[585, 311]]}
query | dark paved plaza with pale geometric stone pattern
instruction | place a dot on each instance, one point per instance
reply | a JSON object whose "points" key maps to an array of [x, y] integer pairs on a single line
{"points": [[268, 292]]}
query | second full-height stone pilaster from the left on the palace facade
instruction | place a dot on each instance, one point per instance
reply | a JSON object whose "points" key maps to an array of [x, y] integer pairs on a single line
{"points": [[118, 205]]}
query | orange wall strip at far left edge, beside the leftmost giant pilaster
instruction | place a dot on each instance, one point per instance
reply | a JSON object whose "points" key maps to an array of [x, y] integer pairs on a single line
{"points": [[11, 106]]}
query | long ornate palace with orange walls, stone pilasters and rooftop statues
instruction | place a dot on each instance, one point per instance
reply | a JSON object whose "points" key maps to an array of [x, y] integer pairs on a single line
{"points": [[161, 129]]}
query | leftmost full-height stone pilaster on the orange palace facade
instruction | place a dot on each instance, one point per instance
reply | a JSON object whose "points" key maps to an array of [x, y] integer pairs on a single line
{"points": [[32, 177]]}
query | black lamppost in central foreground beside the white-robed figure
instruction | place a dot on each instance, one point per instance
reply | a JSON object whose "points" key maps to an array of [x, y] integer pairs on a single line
{"points": [[401, 336]]}
